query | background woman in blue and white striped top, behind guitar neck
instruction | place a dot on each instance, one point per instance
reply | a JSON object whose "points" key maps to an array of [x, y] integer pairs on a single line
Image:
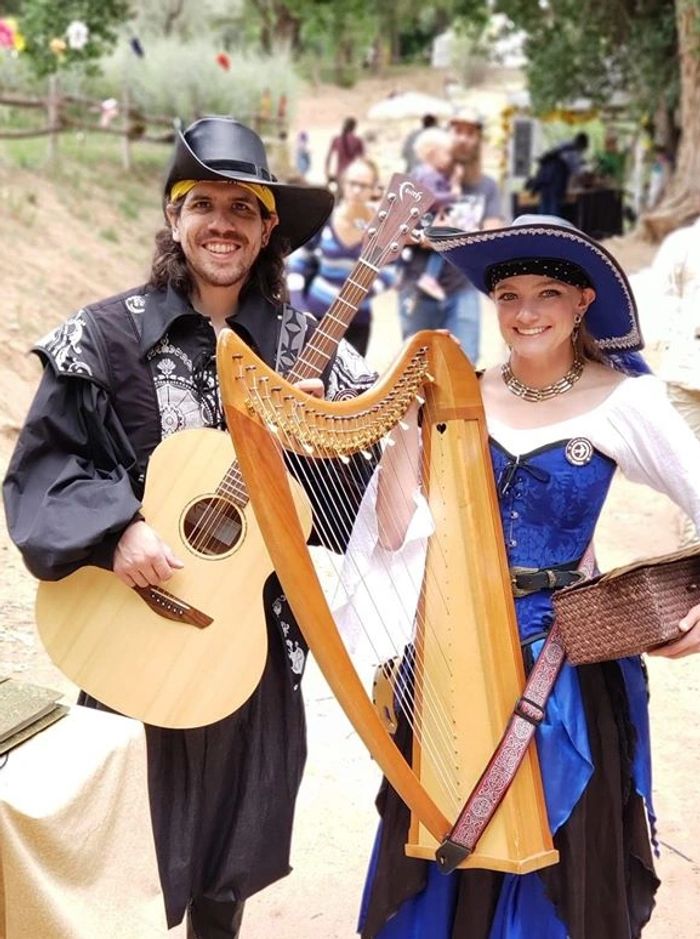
{"points": [[318, 270]]}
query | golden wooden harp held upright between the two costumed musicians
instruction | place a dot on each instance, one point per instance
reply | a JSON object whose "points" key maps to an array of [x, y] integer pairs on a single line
{"points": [[466, 657]]}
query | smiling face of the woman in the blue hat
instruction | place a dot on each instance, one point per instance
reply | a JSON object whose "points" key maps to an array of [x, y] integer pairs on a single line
{"points": [[536, 314]]}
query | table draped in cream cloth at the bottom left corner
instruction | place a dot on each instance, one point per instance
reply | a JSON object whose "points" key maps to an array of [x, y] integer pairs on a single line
{"points": [[77, 859]]}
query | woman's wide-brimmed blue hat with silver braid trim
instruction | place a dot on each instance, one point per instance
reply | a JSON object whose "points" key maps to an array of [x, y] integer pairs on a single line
{"points": [[611, 319]]}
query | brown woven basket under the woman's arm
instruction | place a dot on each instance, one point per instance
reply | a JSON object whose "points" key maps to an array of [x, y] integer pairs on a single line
{"points": [[629, 610]]}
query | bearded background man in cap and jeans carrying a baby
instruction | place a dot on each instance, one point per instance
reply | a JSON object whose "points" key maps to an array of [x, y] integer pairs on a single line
{"points": [[455, 305]]}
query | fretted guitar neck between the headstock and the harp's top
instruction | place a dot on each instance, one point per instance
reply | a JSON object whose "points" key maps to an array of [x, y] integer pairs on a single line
{"points": [[331, 329]]}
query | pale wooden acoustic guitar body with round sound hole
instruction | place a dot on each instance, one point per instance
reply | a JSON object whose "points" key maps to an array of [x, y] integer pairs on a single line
{"points": [[193, 653]]}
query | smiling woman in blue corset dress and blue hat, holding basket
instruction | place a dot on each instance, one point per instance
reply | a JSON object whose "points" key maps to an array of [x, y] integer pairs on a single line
{"points": [[562, 416]]}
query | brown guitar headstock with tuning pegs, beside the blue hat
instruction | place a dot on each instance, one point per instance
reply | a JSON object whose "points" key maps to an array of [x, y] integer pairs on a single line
{"points": [[395, 223]]}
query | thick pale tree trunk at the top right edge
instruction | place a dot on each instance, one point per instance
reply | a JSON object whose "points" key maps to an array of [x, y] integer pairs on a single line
{"points": [[680, 204]]}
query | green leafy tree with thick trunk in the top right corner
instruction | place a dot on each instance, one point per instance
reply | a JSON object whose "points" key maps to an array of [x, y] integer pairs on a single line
{"points": [[648, 49]]}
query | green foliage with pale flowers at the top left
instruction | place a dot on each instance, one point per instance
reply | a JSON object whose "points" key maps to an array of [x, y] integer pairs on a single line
{"points": [[44, 22]]}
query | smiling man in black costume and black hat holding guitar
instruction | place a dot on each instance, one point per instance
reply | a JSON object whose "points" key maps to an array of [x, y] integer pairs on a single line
{"points": [[119, 376]]}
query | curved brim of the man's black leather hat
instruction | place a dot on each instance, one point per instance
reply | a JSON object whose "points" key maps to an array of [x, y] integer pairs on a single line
{"points": [[301, 210]]}
